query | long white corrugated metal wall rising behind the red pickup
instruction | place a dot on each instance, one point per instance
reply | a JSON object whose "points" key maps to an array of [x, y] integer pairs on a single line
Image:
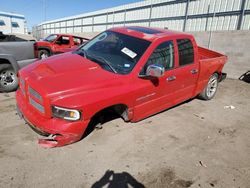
{"points": [[181, 15]]}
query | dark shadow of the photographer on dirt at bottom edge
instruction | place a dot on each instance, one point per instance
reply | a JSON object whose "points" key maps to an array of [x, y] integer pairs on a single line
{"points": [[113, 180]]}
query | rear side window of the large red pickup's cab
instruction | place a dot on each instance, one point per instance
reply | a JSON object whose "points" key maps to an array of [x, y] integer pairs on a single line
{"points": [[186, 52]]}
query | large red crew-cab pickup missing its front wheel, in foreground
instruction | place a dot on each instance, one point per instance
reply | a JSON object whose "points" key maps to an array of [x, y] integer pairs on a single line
{"points": [[135, 71]]}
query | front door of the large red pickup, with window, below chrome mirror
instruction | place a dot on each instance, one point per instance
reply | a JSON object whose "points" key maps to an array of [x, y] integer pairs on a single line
{"points": [[156, 94]]}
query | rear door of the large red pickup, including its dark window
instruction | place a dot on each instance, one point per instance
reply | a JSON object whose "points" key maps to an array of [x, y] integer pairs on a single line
{"points": [[186, 72]]}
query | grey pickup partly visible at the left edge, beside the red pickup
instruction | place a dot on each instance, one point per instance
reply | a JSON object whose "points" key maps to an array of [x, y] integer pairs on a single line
{"points": [[14, 56]]}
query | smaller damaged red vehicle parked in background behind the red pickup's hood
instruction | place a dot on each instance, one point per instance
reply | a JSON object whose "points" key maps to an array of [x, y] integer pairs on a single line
{"points": [[57, 43]]}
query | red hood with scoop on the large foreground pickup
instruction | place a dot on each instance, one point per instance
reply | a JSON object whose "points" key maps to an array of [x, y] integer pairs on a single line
{"points": [[68, 74]]}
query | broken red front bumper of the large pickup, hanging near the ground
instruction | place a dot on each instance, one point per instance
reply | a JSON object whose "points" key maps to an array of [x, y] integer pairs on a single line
{"points": [[59, 132]]}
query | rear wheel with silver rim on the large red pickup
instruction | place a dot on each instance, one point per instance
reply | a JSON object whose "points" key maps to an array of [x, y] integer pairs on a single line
{"points": [[211, 88]]}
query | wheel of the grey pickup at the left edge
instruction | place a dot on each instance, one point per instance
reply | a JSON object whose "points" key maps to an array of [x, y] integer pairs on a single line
{"points": [[8, 78]]}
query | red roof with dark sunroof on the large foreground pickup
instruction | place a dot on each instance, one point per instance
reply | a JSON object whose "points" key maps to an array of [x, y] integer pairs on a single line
{"points": [[147, 33]]}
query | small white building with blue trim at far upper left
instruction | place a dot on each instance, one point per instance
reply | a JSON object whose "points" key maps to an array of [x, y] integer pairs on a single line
{"points": [[12, 23]]}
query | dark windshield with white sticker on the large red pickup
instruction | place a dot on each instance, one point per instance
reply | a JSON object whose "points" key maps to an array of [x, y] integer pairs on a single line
{"points": [[114, 52]]}
